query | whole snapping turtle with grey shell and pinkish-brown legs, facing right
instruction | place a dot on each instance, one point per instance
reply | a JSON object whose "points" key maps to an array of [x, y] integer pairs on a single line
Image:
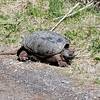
{"points": [[46, 46]]}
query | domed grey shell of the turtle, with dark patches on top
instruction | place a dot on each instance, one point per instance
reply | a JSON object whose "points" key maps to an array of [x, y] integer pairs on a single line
{"points": [[45, 43]]}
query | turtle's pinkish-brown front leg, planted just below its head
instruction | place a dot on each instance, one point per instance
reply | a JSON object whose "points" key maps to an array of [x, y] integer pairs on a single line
{"points": [[60, 60]]}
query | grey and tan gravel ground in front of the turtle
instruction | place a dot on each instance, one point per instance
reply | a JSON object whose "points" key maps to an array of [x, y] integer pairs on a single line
{"points": [[36, 81]]}
